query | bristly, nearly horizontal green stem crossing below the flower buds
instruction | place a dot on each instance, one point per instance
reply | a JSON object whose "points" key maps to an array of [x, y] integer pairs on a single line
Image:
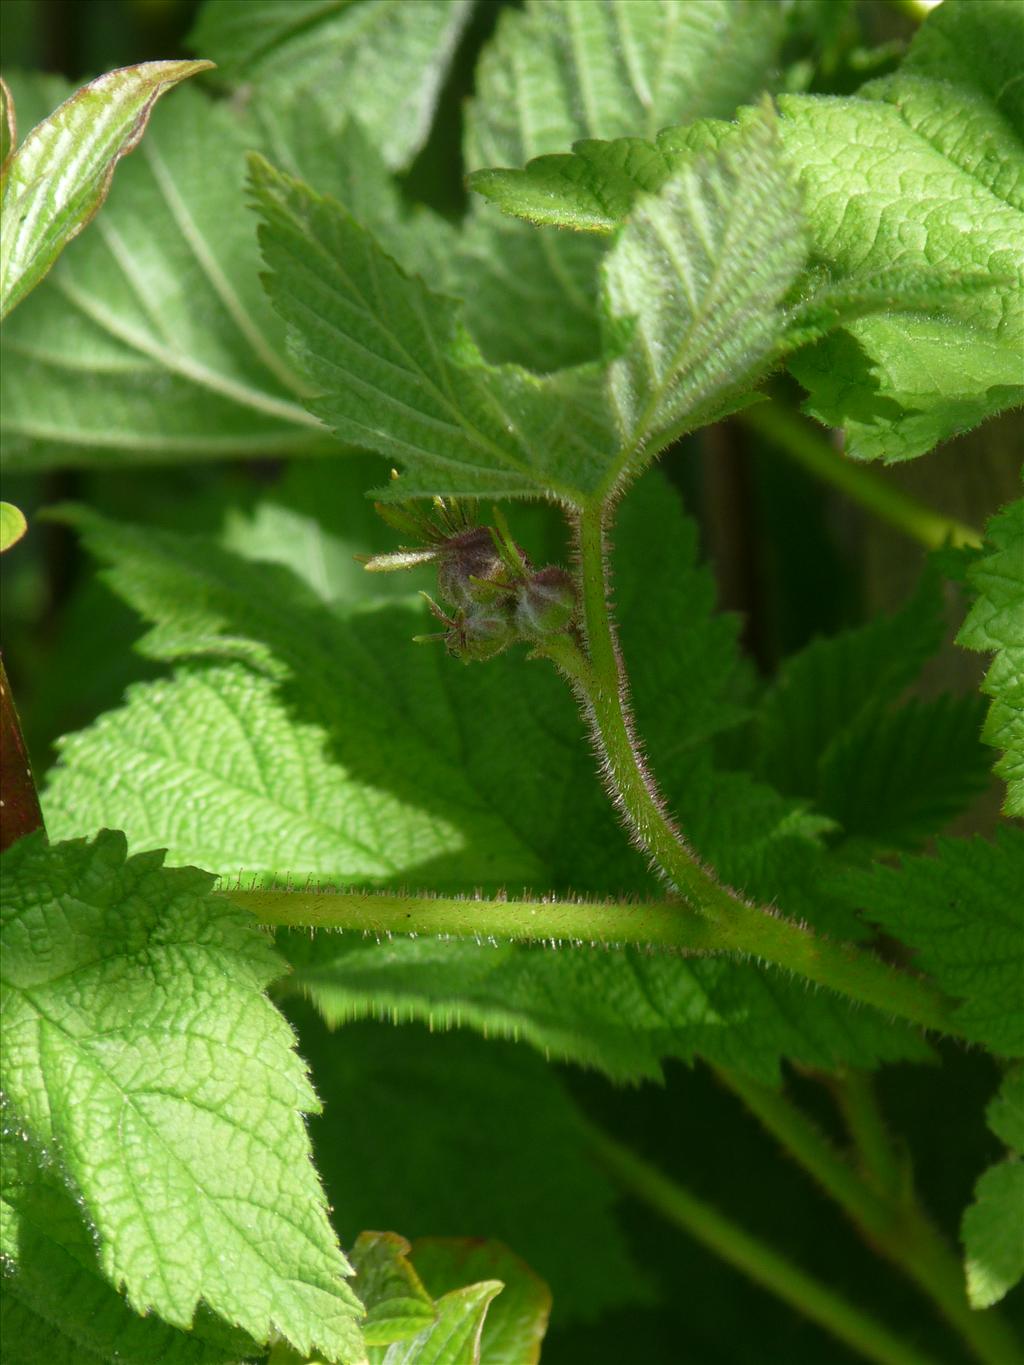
{"points": [[664, 925]]}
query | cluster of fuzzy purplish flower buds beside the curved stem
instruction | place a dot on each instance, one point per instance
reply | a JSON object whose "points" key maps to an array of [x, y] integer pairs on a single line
{"points": [[492, 594]]}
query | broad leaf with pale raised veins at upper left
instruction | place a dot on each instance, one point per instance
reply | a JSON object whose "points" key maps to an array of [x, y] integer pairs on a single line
{"points": [[95, 373]]}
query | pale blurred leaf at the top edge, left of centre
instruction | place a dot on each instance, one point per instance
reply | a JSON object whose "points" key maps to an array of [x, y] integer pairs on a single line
{"points": [[394, 58]]}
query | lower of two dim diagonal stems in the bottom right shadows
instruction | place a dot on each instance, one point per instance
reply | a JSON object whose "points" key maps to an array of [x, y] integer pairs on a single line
{"points": [[810, 1297]]}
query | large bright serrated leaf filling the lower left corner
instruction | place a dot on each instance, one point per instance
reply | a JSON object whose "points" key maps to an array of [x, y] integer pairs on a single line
{"points": [[188, 1128]]}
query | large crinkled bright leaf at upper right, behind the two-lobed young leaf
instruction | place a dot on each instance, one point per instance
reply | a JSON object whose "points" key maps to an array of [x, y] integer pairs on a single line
{"points": [[914, 195]]}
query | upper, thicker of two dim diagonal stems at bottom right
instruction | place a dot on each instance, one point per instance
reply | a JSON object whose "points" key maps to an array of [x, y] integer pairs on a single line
{"points": [[895, 1226]]}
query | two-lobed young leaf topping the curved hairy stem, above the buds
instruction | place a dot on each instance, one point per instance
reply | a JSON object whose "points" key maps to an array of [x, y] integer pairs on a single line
{"points": [[698, 278]]}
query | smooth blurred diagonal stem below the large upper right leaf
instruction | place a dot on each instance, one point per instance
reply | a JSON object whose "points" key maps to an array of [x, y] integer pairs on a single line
{"points": [[806, 444]]}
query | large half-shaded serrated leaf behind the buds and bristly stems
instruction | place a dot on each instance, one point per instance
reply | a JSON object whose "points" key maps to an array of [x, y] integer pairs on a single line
{"points": [[302, 730]]}
